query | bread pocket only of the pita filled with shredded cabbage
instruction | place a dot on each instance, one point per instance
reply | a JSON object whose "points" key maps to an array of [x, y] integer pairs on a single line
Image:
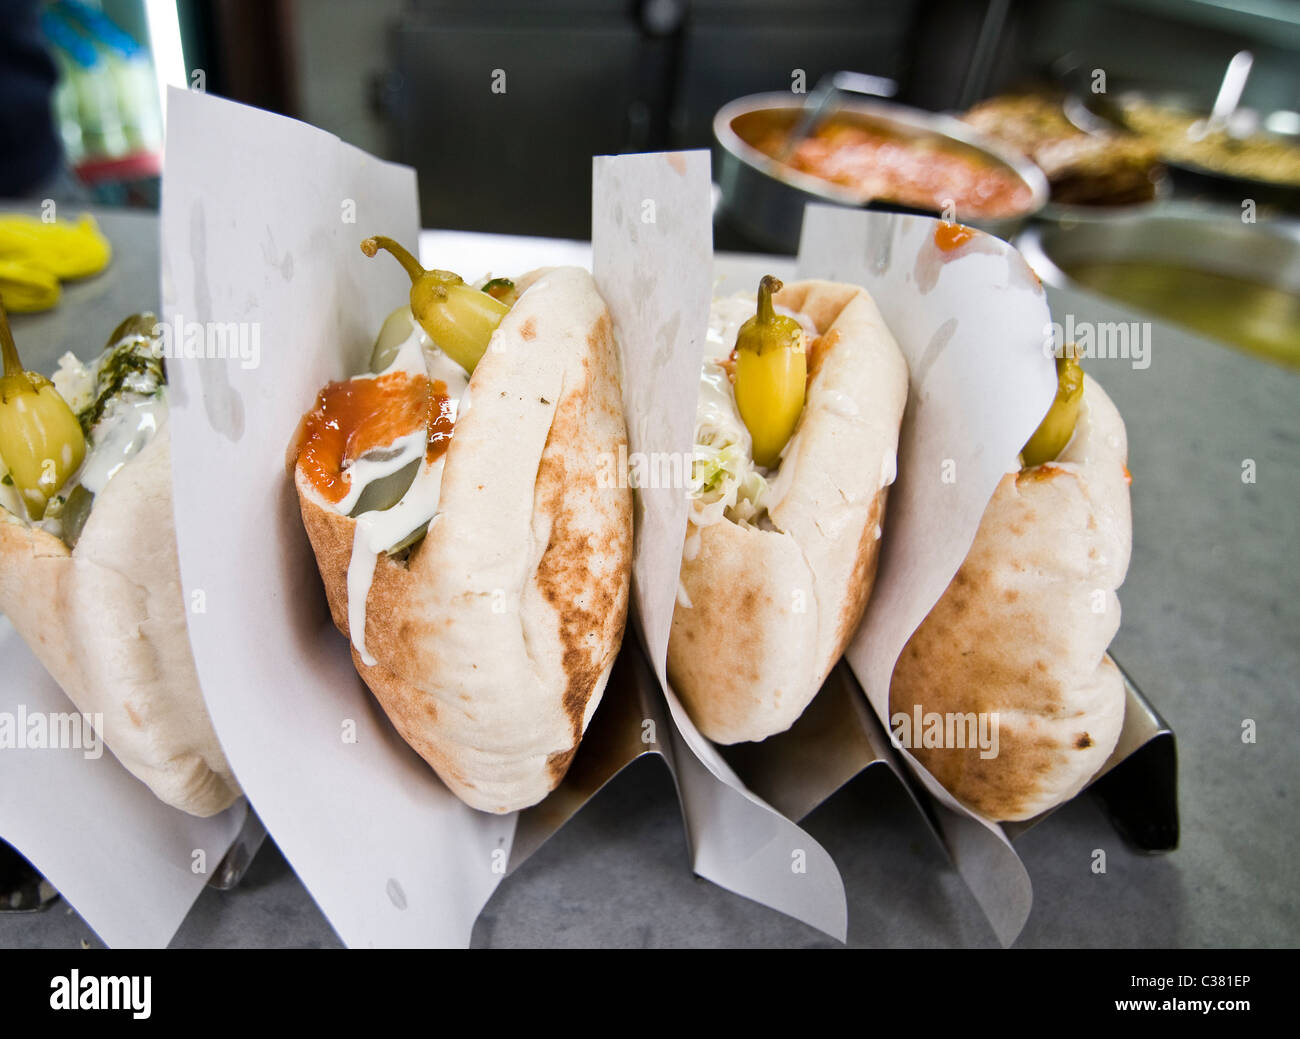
{"points": [[772, 612]]}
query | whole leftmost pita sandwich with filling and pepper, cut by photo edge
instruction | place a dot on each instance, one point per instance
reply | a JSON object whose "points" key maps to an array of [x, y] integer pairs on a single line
{"points": [[89, 573]]}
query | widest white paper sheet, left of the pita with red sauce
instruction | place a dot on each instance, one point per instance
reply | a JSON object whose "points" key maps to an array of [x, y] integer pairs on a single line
{"points": [[262, 223]]}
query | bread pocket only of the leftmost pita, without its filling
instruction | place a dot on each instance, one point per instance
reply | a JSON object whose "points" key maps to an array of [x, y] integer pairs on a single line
{"points": [[109, 622]]}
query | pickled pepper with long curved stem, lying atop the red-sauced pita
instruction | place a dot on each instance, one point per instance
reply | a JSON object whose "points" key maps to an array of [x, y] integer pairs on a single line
{"points": [[458, 318]]}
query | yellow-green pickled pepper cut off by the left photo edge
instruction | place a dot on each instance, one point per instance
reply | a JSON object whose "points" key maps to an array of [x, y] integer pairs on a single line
{"points": [[41, 440]]}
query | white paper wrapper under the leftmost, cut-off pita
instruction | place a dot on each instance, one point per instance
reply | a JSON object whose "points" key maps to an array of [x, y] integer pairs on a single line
{"points": [[129, 864]]}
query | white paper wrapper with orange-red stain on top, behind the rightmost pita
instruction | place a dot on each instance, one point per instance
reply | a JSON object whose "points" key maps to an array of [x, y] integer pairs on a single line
{"points": [[972, 324]]}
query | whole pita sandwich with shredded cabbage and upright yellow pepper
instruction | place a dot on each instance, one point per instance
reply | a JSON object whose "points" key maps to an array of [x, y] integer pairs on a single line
{"points": [[796, 447]]}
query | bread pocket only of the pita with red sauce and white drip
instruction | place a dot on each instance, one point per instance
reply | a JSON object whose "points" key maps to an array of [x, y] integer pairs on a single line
{"points": [[495, 640]]}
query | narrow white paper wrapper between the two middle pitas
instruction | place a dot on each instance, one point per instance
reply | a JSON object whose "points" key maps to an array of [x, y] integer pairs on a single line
{"points": [[652, 239]]}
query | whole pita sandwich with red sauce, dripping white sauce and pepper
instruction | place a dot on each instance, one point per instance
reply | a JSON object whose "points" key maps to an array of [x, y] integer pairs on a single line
{"points": [[473, 547]]}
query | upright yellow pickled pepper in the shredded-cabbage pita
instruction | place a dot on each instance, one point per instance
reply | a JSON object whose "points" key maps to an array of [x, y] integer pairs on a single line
{"points": [[772, 376]]}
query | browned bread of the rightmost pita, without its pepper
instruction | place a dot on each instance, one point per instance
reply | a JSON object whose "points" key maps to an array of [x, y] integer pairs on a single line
{"points": [[1024, 629]]}
